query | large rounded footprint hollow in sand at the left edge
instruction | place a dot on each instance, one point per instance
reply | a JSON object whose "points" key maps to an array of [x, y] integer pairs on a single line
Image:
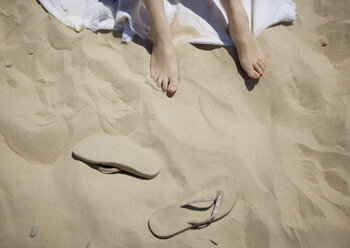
{"points": [[31, 129]]}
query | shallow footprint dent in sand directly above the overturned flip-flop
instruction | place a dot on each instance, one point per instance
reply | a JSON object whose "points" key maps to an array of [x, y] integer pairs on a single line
{"points": [[115, 97]]}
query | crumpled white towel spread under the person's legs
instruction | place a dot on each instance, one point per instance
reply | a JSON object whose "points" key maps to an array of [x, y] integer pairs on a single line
{"points": [[194, 21]]}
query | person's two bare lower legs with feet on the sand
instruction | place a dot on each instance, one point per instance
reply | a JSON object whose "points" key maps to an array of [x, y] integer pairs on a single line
{"points": [[163, 64]]}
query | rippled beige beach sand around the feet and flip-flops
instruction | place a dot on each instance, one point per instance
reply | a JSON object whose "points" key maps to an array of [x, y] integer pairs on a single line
{"points": [[284, 141]]}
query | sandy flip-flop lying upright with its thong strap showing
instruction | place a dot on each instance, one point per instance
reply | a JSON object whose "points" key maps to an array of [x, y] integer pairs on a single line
{"points": [[186, 215]]}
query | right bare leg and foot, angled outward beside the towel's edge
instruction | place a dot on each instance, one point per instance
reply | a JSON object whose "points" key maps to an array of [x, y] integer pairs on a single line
{"points": [[249, 53]]}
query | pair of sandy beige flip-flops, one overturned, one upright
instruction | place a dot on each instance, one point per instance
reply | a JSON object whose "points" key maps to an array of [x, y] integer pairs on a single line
{"points": [[110, 155]]}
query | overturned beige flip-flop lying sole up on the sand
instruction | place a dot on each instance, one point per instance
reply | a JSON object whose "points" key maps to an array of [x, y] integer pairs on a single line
{"points": [[113, 154]]}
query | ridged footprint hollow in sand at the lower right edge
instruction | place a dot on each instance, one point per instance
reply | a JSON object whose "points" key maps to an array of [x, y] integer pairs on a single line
{"points": [[326, 174]]}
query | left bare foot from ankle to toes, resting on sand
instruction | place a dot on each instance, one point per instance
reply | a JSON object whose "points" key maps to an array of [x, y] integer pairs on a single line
{"points": [[164, 69]]}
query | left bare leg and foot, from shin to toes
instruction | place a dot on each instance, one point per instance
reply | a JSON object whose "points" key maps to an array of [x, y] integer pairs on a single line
{"points": [[163, 64]]}
